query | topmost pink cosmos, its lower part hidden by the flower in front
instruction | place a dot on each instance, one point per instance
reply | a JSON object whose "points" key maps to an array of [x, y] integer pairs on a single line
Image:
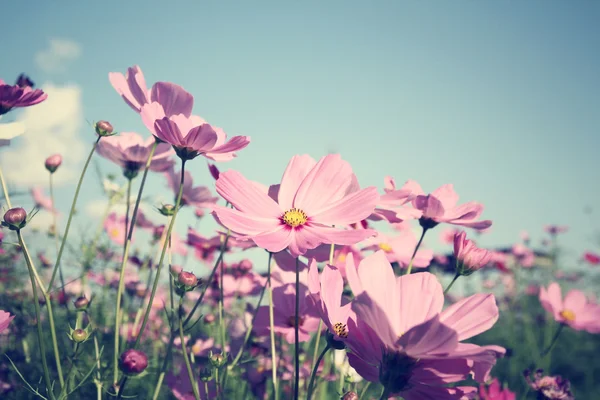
{"points": [[132, 88]]}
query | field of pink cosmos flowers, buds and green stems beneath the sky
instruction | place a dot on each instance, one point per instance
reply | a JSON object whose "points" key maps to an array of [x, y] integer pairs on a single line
{"points": [[347, 302]]}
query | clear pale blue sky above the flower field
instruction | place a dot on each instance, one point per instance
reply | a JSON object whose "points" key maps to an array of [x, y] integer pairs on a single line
{"points": [[500, 98]]}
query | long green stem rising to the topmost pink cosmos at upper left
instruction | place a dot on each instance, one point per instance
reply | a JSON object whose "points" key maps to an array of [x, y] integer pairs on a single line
{"points": [[124, 264]]}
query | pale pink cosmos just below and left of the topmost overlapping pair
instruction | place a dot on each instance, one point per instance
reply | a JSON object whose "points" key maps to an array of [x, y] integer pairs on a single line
{"points": [[130, 151]]}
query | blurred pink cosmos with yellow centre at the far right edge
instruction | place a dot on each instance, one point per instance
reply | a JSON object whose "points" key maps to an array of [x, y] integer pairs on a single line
{"points": [[574, 310]]}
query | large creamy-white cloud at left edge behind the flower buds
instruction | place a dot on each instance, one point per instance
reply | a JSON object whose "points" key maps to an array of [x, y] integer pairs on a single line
{"points": [[53, 126]]}
